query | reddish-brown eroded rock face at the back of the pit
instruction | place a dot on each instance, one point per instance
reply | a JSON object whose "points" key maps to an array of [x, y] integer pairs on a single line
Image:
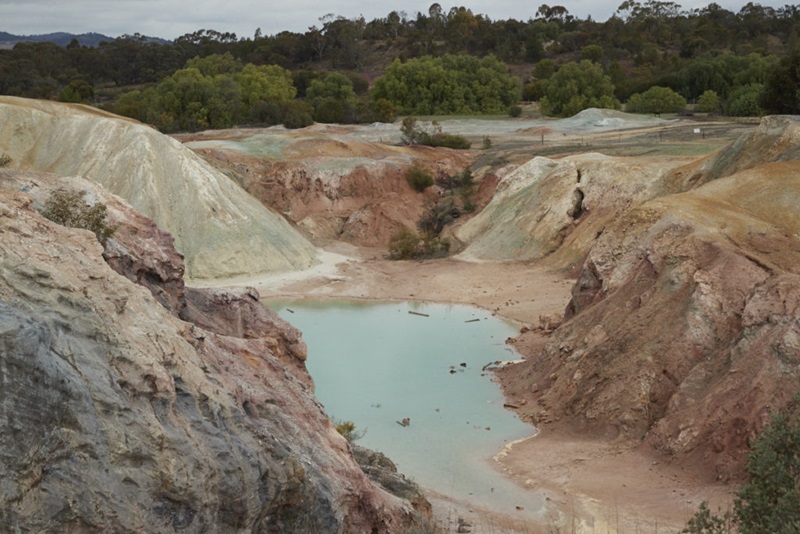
{"points": [[332, 185]]}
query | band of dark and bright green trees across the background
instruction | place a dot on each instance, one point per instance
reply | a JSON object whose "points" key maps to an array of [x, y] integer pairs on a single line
{"points": [[738, 63]]}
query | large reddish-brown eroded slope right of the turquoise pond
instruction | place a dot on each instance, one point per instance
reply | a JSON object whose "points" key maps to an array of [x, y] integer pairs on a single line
{"points": [[685, 321]]}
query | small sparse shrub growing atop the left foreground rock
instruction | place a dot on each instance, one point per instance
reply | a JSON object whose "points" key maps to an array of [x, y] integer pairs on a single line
{"points": [[68, 208]]}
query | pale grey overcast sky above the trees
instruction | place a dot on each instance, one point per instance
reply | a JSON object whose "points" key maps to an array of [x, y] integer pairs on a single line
{"points": [[172, 18]]}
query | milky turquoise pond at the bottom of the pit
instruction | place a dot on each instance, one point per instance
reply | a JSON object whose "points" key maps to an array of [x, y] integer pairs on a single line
{"points": [[376, 364]]}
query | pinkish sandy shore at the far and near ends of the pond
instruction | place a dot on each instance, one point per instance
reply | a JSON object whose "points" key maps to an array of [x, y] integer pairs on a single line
{"points": [[594, 486]]}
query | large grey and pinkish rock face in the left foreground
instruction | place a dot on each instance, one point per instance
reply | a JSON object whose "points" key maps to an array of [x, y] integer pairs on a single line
{"points": [[117, 416]]}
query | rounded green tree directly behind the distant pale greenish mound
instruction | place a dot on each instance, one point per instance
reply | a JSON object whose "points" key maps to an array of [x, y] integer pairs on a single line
{"points": [[578, 86]]}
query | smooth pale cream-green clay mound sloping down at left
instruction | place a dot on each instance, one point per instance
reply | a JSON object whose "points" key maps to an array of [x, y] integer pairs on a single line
{"points": [[221, 230]]}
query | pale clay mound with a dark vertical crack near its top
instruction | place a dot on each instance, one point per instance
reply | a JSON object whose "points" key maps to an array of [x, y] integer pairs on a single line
{"points": [[547, 206]]}
